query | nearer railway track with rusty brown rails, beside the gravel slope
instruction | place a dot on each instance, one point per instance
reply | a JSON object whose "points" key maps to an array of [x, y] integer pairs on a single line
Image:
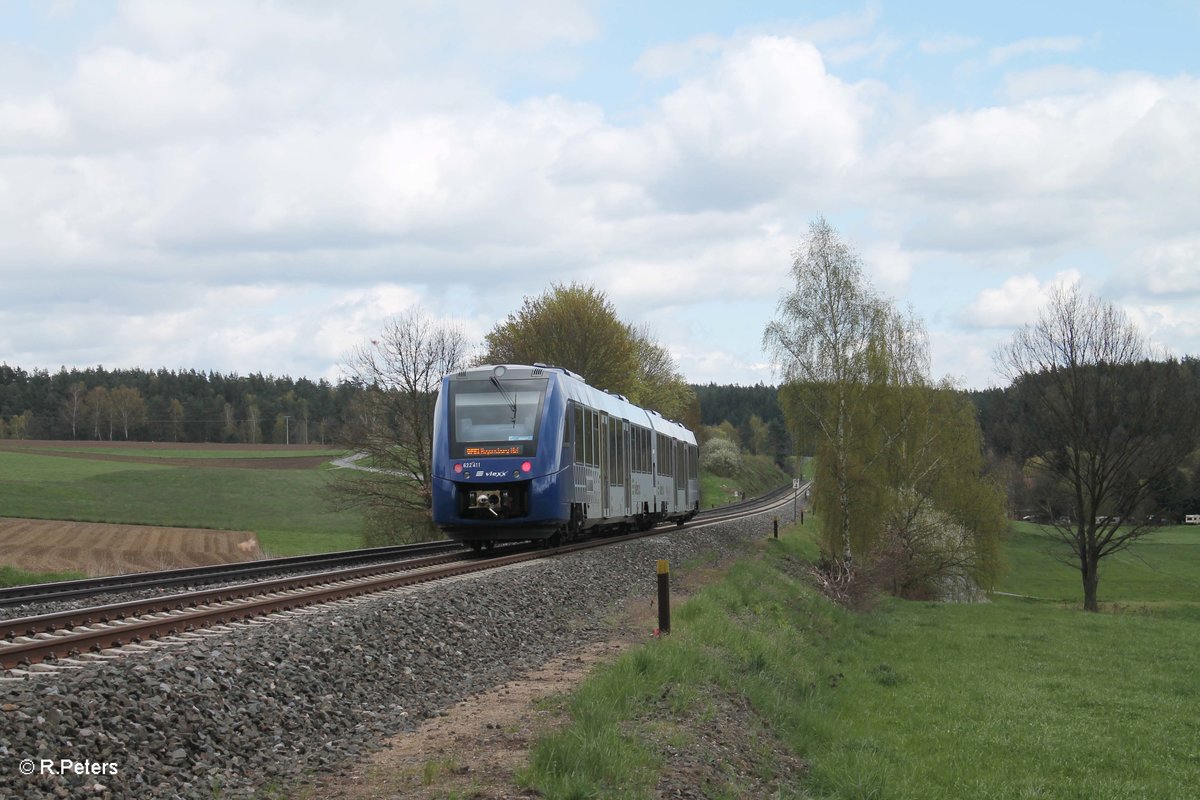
{"points": [[62, 637]]}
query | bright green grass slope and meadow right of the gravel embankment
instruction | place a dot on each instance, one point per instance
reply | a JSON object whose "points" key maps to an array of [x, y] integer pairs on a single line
{"points": [[1016, 699]]}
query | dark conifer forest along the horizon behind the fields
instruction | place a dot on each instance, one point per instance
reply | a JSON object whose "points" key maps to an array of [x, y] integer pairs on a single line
{"points": [[209, 407]]}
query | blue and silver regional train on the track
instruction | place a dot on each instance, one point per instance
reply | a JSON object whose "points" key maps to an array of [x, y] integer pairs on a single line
{"points": [[532, 453]]}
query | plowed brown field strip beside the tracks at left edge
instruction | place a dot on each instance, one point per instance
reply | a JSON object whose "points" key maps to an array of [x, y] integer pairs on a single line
{"points": [[101, 549]]}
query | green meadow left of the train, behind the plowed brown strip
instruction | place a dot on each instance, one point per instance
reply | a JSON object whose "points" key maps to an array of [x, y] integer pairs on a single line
{"points": [[279, 494]]}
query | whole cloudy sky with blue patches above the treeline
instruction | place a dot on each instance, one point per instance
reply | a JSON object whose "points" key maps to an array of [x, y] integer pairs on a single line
{"points": [[259, 187]]}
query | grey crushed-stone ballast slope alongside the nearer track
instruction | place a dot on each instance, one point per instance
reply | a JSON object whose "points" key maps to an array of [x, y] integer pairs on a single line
{"points": [[261, 706]]}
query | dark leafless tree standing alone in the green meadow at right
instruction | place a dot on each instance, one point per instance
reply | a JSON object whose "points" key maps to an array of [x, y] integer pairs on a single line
{"points": [[1102, 419]]}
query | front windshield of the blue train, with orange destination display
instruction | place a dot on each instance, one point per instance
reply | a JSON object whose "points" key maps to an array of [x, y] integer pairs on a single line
{"points": [[496, 417]]}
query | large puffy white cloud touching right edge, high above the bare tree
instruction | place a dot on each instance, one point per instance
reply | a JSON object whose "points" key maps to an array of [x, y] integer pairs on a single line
{"points": [[1060, 171]]}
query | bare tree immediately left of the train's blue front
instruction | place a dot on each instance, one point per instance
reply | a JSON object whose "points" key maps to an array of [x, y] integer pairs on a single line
{"points": [[400, 374]]}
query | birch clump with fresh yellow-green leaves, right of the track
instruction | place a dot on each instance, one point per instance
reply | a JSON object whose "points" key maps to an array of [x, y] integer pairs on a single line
{"points": [[898, 479]]}
